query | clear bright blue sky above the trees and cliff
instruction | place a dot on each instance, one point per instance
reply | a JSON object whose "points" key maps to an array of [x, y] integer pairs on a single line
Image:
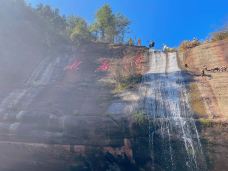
{"points": [[163, 21]]}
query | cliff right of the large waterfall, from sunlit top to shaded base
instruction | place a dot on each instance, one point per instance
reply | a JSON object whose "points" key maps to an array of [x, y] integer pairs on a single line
{"points": [[213, 94]]}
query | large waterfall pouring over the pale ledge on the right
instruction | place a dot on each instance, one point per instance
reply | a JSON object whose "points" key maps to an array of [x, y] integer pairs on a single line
{"points": [[173, 136]]}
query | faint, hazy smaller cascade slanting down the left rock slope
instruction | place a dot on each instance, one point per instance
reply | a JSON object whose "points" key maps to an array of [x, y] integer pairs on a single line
{"points": [[17, 102]]}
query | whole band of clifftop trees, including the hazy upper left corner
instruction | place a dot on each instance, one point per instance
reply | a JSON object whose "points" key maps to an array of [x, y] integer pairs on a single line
{"points": [[17, 16]]}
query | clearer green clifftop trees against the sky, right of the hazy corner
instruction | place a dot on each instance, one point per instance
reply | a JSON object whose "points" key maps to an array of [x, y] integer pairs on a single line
{"points": [[108, 26]]}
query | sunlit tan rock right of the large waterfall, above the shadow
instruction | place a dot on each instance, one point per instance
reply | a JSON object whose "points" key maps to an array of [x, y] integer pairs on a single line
{"points": [[213, 87]]}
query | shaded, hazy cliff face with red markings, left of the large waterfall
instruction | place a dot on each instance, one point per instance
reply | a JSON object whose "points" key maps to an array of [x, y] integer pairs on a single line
{"points": [[61, 102]]}
